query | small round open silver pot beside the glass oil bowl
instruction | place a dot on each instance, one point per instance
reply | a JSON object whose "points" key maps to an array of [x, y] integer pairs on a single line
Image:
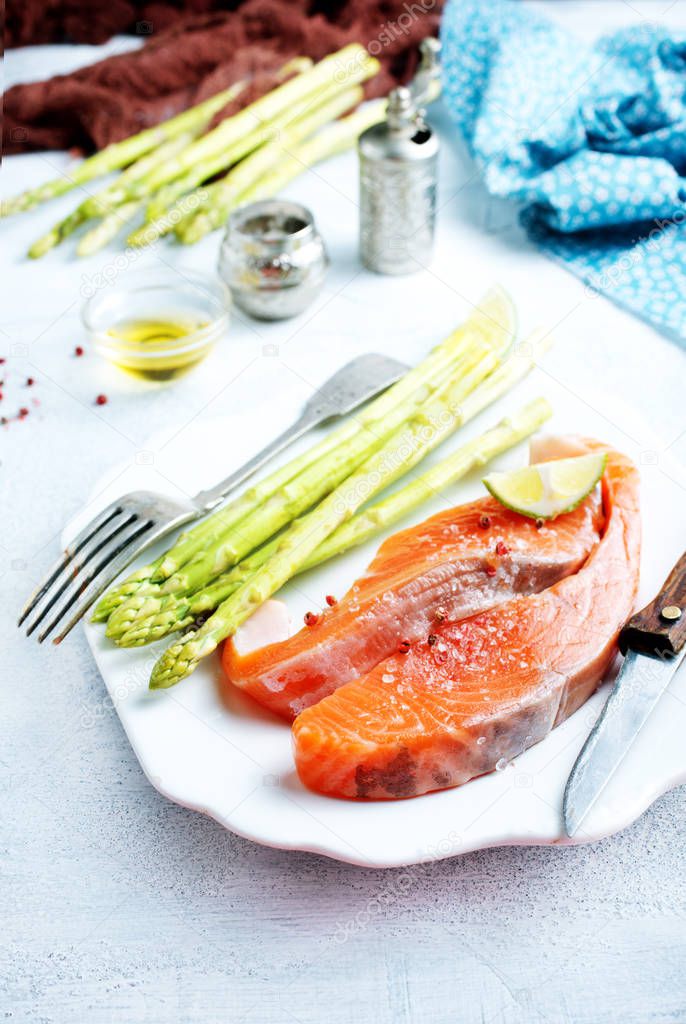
{"points": [[273, 259]]}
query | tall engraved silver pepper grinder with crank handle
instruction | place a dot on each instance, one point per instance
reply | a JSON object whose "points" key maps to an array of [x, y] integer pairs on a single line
{"points": [[398, 177]]}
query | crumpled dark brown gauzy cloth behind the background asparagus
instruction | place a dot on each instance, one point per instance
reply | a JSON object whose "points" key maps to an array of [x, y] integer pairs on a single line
{"points": [[196, 49]]}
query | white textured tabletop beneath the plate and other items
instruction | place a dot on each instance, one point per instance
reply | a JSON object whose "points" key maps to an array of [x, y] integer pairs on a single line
{"points": [[122, 908]]}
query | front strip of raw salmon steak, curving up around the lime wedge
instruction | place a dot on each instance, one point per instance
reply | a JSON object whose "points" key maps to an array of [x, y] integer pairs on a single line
{"points": [[489, 687]]}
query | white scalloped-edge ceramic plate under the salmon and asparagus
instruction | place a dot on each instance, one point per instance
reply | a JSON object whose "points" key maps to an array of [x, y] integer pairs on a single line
{"points": [[234, 762]]}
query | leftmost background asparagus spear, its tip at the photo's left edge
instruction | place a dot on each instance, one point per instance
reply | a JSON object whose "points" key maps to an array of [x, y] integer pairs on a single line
{"points": [[120, 154]]}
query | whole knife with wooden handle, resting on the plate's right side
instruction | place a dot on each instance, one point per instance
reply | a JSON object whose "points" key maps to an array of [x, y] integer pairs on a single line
{"points": [[654, 643]]}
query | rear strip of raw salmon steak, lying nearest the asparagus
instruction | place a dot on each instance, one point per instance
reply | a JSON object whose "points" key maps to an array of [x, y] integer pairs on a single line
{"points": [[454, 565]]}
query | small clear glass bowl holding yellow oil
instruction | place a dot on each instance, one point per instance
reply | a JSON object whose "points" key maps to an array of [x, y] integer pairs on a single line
{"points": [[157, 325]]}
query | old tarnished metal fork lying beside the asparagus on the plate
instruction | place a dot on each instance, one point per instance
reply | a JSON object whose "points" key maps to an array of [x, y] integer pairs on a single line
{"points": [[114, 538]]}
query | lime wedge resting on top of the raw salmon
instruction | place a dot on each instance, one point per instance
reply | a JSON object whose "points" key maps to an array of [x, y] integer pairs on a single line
{"points": [[548, 489]]}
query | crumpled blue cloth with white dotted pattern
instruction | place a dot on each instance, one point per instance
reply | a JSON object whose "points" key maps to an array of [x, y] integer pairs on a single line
{"points": [[590, 142]]}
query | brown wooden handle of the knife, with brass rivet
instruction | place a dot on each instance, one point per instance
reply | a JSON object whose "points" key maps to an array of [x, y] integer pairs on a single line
{"points": [[661, 627]]}
